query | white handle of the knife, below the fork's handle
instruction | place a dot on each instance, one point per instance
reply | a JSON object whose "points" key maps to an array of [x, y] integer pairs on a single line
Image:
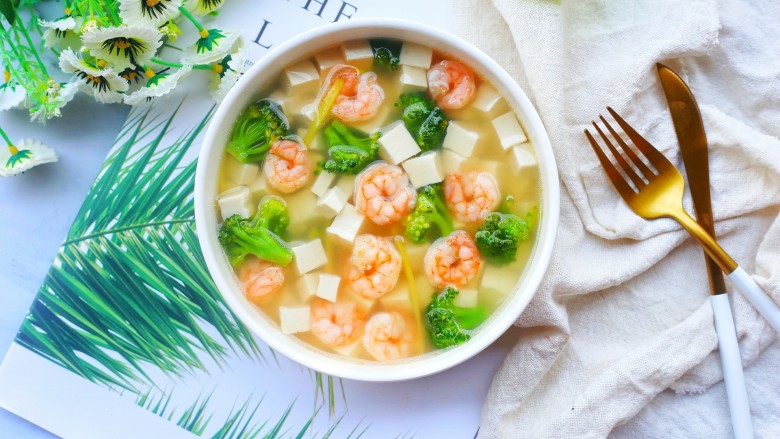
{"points": [[733, 376]]}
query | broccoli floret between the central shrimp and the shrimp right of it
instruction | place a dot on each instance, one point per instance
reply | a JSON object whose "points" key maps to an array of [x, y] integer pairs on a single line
{"points": [[430, 214]]}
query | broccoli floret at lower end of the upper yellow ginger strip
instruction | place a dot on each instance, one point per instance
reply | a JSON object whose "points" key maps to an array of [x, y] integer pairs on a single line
{"points": [[349, 151]]}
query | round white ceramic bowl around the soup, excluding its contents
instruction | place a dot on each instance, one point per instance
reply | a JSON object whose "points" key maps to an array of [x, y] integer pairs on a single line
{"points": [[267, 70]]}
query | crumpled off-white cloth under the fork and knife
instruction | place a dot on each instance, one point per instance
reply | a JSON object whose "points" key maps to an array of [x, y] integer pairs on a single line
{"points": [[623, 312]]}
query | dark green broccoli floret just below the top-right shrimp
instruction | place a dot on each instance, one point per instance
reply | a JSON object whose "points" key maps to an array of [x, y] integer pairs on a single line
{"points": [[425, 121]]}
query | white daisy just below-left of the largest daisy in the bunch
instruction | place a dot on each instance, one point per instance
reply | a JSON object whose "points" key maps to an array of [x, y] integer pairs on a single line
{"points": [[104, 84]]}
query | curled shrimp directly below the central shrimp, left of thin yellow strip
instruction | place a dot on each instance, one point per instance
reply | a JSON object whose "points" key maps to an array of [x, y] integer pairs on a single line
{"points": [[374, 266]]}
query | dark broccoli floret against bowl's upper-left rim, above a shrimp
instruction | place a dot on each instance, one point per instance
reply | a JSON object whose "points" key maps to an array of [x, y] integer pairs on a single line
{"points": [[256, 129]]}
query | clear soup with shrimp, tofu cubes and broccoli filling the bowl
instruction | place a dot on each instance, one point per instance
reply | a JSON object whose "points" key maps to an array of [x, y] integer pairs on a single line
{"points": [[379, 200]]}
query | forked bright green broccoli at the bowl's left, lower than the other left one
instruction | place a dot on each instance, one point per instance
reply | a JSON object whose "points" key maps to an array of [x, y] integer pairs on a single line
{"points": [[258, 235]]}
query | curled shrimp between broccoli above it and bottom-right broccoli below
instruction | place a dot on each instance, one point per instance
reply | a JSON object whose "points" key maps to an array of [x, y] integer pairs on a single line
{"points": [[452, 260]]}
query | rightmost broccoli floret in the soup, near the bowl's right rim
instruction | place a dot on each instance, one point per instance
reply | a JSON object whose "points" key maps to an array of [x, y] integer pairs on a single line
{"points": [[499, 236]]}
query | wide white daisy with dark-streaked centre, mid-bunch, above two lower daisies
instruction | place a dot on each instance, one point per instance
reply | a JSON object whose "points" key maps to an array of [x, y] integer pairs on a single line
{"points": [[123, 46]]}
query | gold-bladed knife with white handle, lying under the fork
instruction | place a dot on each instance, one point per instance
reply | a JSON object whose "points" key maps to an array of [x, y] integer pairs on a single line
{"points": [[689, 127]]}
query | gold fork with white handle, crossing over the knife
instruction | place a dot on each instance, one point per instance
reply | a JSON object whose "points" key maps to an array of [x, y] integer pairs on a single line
{"points": [[657, 193]]}
